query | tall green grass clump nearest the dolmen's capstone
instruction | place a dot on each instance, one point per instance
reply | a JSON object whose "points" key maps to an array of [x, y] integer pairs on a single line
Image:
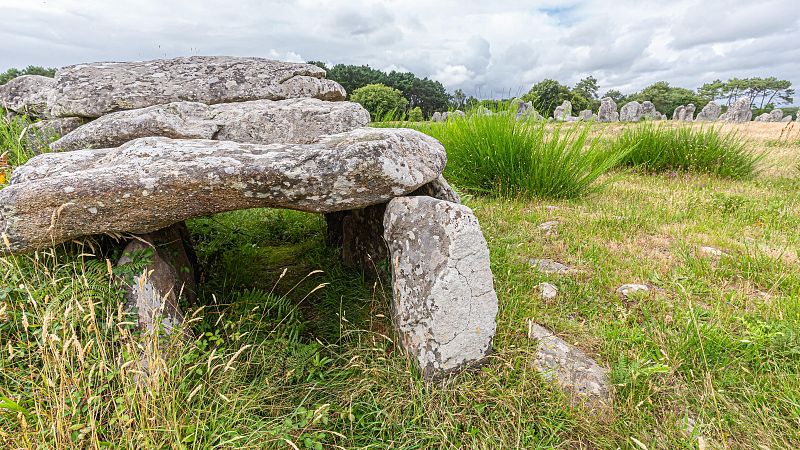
{"points": [[501, 156]]}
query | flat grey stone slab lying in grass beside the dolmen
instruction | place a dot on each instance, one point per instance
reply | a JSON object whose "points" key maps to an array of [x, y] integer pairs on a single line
{"points": [[575, 372]]}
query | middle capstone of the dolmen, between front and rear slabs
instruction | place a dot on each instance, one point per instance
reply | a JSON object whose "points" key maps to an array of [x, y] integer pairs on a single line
{"points": [[296, 121]]}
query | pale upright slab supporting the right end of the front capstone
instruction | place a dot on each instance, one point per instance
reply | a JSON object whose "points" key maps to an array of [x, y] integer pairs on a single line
{"points": [[444, 304]]}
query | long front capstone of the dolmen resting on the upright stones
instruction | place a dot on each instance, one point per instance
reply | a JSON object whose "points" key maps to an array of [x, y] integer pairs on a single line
{"points": [[151, 183]]}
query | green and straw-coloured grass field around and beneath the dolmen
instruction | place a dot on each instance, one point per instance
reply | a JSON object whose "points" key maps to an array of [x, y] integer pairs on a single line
{"points": [[295, 351]]}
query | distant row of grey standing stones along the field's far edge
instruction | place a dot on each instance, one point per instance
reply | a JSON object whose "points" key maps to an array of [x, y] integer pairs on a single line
{"points": [[634, 111]]}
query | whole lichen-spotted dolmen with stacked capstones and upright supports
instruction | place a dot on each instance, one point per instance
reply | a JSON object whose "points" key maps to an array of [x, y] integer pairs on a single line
{"points": [[163, 141]]}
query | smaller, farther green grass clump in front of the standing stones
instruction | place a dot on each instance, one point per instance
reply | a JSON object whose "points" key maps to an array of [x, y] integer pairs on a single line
{"points": [[663, 148]]}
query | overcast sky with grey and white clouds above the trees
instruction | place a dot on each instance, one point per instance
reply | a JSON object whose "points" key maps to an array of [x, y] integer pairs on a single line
{"points": [[487, 48]]}
